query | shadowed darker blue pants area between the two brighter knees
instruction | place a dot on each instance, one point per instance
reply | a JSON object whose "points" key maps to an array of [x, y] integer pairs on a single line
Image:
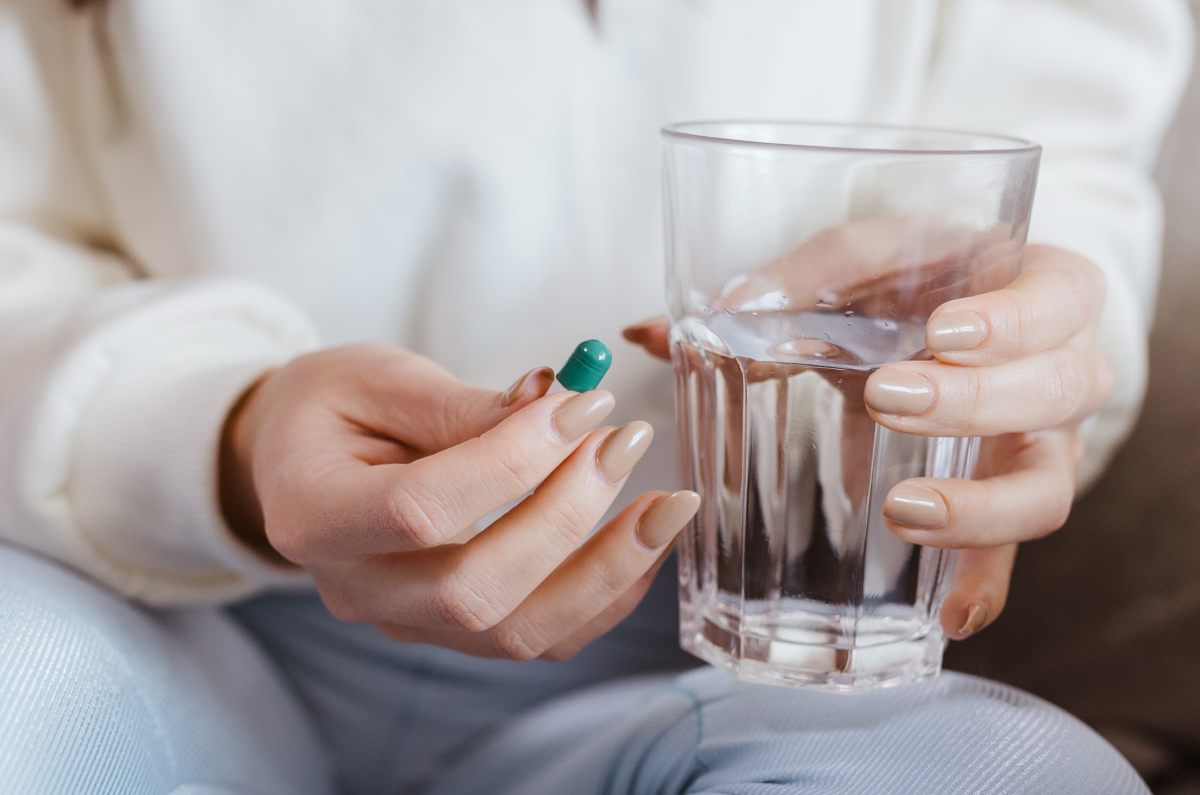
{"points": [[393, 716]]}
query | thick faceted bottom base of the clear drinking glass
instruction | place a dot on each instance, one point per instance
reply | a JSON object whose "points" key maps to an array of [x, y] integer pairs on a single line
{"points": [[797, 657]]}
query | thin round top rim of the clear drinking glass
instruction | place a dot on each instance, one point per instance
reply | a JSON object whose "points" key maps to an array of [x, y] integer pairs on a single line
{"points": [[688, 131]]}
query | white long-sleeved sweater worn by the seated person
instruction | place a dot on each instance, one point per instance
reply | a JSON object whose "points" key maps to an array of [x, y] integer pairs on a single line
{"points": [[195, 192]]}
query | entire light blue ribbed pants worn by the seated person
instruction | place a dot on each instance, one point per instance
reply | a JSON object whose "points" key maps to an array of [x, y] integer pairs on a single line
{"points": [[100, 697]]}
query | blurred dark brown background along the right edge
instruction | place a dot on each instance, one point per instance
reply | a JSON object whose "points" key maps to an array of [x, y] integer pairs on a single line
{"points": [[1105, 617]]}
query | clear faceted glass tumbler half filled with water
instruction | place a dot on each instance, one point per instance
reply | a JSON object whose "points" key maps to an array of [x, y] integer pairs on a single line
{"points": [[802, 258]]}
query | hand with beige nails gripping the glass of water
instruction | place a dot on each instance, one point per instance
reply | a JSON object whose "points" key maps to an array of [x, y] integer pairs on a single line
{"points": [[1019, 367]]}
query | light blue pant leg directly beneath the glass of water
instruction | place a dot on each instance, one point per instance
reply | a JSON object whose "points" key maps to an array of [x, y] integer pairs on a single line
{"points": [[705, 733]]}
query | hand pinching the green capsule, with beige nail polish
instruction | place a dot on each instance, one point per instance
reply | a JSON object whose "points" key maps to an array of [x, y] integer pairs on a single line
{"points": [[365, 464]]}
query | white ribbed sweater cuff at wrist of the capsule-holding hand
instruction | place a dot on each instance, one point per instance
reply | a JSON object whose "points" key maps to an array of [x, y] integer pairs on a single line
{"points": [[145, 483]]}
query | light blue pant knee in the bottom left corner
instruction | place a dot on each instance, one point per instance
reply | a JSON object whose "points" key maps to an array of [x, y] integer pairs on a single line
{"points": [[99, 697]]}
